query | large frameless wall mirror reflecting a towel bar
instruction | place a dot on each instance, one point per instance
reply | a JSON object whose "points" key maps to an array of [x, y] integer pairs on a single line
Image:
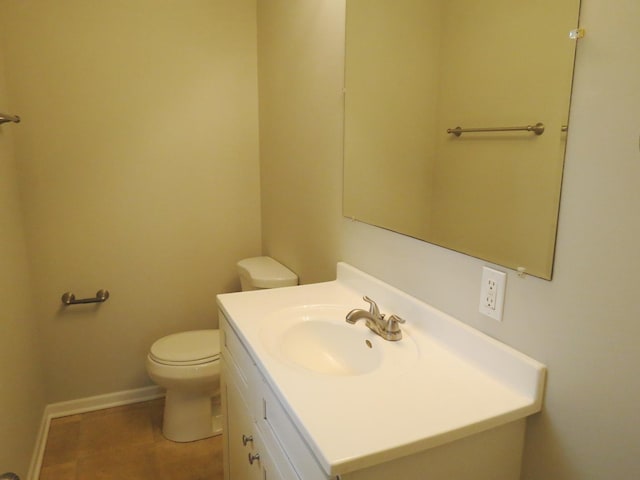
{"points": [[416, 68]]}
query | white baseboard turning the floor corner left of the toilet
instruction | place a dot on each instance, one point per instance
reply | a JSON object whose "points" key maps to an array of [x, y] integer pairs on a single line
{"points": [[83, 405]]}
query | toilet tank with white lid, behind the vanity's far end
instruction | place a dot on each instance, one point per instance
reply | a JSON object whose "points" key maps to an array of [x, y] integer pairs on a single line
{"points": [[264, 272]]}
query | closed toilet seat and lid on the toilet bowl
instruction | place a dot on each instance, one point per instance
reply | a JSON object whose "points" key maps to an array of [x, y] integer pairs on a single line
{"points": [[194, 347]]}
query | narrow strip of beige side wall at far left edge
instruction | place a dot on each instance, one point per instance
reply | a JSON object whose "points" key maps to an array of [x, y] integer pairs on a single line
{"points": [[21, 376]]}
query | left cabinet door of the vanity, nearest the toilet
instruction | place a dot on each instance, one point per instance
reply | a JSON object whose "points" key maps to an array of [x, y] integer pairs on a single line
{"points": [[241, 460]]}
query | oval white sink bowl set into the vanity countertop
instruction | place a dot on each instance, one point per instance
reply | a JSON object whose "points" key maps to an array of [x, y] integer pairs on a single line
{"points": [[317, 338]]}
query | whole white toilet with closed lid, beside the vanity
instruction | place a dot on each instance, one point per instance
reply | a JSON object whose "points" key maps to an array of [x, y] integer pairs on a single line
{"points": [[187, 364]]}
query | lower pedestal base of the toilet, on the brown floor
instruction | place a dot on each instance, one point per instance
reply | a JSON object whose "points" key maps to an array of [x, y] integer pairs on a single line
{"points": [[190, 416]]}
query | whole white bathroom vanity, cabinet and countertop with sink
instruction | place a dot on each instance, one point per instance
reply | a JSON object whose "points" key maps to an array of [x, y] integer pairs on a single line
{"points": [[305, 395]]}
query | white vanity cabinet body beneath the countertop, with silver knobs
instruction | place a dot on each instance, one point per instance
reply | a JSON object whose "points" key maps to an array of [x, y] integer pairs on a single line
{"points": [[262, 443]]}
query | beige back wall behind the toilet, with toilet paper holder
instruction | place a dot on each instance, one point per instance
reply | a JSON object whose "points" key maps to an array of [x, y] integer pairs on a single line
{"points": [[139, 172]]}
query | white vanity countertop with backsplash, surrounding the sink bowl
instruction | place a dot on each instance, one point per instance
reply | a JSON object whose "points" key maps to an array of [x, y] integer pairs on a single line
{"points": [[462, 381]]}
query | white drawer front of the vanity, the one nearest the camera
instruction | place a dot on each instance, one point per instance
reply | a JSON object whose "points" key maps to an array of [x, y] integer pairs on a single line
{"points": [[276, 423]]}
